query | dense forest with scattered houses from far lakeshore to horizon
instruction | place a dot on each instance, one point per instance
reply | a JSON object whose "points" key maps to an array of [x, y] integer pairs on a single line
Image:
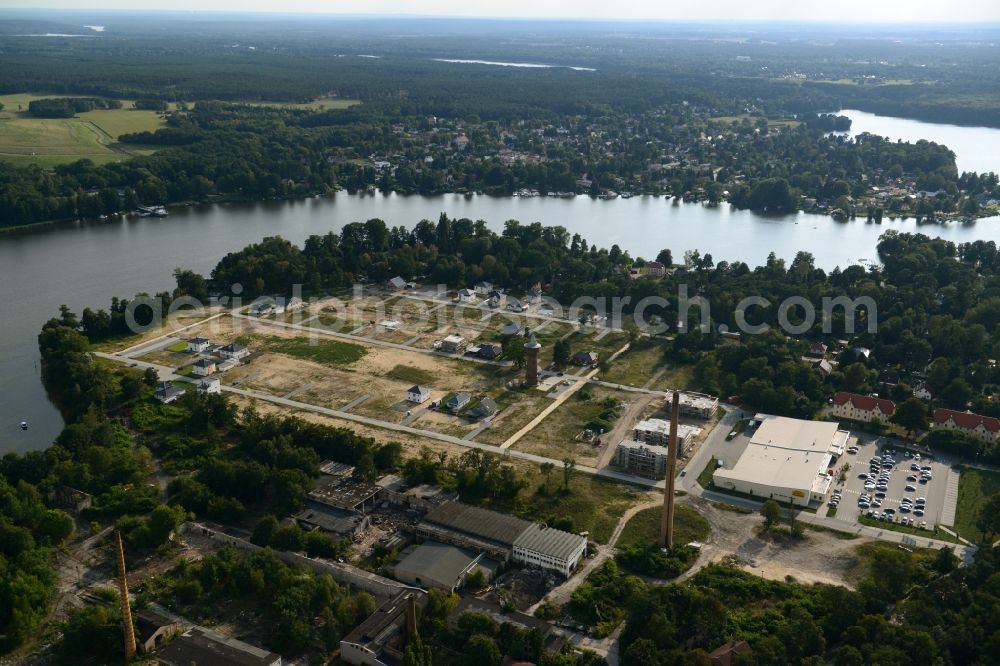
{"points": [[611, 114]]}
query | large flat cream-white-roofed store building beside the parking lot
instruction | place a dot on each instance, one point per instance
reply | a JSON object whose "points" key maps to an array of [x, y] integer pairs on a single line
{"points": [[789, 460]]}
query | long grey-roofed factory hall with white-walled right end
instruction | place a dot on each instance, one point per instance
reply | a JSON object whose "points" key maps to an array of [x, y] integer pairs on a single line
{"points": [[503, 537]]}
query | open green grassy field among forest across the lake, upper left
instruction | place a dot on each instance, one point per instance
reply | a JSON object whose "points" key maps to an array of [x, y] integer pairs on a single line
{"points": [[47, 142]]}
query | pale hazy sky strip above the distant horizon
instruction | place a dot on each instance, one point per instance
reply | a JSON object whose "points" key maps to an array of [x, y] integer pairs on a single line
{"points": [[797, 10]]}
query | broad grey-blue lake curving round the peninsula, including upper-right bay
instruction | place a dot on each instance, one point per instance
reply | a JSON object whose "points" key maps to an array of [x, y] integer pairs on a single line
{"points": [[86, 264]]}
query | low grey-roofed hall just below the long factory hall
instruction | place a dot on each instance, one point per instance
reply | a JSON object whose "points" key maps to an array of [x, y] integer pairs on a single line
{"points": [[434, 564]]}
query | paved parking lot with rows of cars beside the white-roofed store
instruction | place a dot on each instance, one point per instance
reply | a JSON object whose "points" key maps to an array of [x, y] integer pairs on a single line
{"points": [[901, 478]]}
